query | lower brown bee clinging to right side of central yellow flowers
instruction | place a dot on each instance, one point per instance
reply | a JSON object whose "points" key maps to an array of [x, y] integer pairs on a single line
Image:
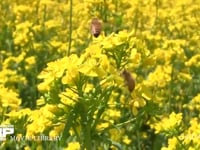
{"points": [[129, 80]]}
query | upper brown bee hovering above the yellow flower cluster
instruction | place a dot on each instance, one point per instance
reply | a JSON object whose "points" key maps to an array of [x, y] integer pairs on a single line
{"points": [[96, 27]]}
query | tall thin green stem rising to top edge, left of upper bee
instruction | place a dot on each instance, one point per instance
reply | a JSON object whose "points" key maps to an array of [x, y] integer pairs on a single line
{"points": [[70, 27]]}
